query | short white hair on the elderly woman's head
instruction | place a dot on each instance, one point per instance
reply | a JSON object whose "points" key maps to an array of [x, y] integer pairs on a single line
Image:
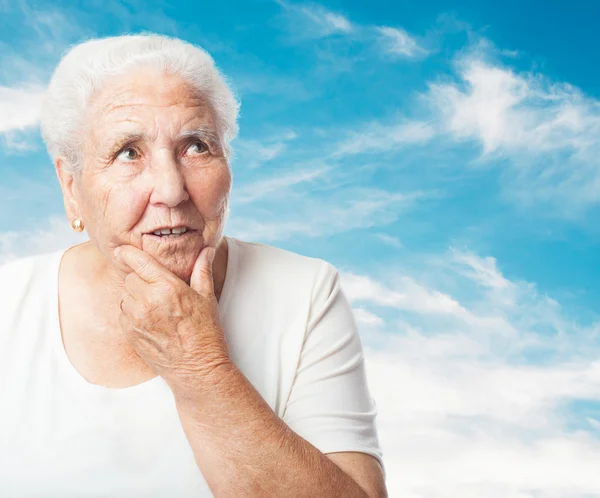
{"points": [[85, 67]]}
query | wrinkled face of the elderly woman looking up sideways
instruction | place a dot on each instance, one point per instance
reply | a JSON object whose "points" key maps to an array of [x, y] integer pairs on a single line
{"points": [[152, 159]]}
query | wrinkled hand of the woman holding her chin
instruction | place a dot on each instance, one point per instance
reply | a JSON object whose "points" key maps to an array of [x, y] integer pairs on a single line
{"points": [[173, 326]]}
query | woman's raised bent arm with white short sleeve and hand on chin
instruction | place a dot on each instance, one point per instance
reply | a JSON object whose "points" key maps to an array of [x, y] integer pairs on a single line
{"points": [[240, 445]]}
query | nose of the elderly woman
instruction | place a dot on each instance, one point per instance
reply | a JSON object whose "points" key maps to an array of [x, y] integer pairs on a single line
{"points": [[168, 182]]}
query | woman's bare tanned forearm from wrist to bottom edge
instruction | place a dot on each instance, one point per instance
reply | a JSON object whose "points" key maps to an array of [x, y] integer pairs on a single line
{"points": [[244, 449]]}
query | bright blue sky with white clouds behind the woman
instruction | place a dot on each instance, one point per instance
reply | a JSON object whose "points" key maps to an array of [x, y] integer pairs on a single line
{"points": [[444, 156]]}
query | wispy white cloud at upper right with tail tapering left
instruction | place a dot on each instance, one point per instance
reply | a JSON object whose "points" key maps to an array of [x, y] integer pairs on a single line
{"points": [[544, 132]]}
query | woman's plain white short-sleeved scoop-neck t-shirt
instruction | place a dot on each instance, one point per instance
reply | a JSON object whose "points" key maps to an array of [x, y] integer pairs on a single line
{"points": [[289, 328]]}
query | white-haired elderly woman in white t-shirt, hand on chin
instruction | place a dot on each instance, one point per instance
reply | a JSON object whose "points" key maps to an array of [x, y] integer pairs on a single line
{"points": [[162, 358]]}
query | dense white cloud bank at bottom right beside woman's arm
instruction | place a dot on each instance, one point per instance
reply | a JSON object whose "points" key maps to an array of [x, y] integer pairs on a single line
{"points": [[480, 429]]}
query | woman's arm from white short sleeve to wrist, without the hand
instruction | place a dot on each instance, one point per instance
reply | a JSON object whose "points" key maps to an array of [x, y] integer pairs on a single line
{"points": [[329, 405]]}
